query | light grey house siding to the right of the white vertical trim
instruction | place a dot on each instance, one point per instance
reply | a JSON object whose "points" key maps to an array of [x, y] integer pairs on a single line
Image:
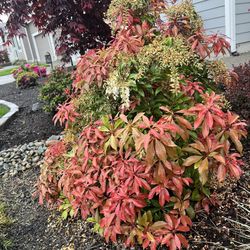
{"points": [[243, 24]]}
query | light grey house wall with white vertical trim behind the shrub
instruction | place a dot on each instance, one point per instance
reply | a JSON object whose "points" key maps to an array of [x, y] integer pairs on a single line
{"points": [[228, 17]]}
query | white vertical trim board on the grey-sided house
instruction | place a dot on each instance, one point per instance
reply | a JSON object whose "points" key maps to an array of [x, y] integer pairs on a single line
{"points": [[230, 23]]}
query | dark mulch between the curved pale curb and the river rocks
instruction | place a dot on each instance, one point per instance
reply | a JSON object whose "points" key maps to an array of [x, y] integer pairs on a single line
{"points": [[26, 125]]}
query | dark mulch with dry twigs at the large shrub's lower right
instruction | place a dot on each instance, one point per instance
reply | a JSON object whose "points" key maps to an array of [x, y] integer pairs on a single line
{"points": [[215, 231]]}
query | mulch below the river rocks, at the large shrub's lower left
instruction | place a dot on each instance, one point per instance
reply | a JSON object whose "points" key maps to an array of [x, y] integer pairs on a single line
{"points": [[35, 227]]}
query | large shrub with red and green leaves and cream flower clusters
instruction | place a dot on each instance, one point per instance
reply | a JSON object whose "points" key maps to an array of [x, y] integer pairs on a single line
{"points": [[144, 169]]}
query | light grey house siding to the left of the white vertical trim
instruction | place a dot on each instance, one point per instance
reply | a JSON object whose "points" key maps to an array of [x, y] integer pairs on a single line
{"points": [[212, 13]]}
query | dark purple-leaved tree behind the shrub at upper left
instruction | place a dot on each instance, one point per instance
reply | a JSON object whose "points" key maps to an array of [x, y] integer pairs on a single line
{"points": [[80, 23]]}
